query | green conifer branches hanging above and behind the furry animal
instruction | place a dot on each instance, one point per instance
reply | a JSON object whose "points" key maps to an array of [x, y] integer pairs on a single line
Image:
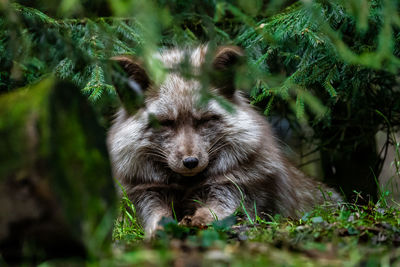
{"points": [[328, 66]]}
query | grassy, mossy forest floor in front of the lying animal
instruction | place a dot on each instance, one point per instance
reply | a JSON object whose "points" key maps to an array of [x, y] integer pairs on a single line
{"points": [[349, 235]]}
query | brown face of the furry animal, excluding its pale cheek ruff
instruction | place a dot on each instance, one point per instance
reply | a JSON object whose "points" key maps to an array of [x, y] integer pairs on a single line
{"points": [[184, 131]]}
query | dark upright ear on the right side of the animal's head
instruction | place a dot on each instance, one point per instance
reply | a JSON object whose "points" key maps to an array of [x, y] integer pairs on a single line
{"points": [[225, 63]]}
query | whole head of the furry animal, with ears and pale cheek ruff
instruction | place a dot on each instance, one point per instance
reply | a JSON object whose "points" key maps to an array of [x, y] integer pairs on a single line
{"points": [[173, 128]]}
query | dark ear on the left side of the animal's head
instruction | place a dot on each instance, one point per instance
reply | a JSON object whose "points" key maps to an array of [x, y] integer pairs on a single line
{"points": [[132, 83]]}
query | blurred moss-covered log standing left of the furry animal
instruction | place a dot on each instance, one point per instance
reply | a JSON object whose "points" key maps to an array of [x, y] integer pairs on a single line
{"points": [[57, 197]]}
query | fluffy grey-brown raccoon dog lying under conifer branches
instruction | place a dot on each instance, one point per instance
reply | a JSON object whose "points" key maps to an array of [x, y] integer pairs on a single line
{"points": [[204, 159]]}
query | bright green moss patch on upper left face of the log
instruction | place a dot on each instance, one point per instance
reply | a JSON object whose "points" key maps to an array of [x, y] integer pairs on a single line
{"points": [[19, 112]]}
